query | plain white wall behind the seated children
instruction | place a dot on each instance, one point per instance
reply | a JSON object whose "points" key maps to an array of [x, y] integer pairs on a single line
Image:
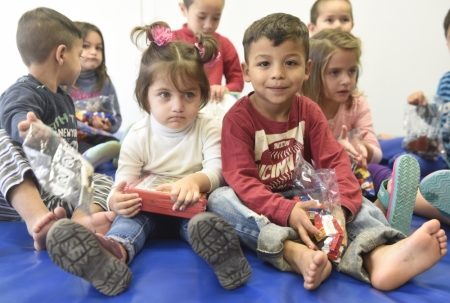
{"points": [[404, 47]]}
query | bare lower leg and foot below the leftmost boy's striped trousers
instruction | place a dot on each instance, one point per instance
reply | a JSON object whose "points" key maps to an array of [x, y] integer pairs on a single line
{"points": [[27, 201]]}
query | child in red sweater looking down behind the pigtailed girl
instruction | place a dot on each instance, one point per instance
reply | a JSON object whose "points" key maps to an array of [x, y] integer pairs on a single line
{"points": [[203, 16]]}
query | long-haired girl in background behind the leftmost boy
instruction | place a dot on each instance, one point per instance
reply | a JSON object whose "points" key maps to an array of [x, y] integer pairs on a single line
{"points": [[94, 82]]}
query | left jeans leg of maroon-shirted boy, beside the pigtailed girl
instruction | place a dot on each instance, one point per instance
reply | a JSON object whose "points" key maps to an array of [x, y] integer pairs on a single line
{"points": [[254, 231]]}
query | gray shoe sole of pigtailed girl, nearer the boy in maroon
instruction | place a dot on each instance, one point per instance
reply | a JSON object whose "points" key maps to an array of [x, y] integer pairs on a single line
{"points": [[214, 240]]}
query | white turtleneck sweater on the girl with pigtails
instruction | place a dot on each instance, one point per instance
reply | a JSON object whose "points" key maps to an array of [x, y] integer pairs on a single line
{"points": [[150, 147]]}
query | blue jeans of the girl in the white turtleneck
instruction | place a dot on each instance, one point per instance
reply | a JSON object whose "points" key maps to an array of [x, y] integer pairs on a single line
{"points": [[133, 232]]}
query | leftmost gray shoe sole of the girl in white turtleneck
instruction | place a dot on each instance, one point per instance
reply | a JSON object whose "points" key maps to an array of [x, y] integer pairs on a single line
{"points": [[75, 249]]}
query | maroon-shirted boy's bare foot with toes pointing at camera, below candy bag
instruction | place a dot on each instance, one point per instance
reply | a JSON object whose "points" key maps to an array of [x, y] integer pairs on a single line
{"points": [[312, 265]]}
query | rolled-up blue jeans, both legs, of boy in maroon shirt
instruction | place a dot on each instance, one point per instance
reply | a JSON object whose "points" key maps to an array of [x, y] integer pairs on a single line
{"points": [[368, 230]]}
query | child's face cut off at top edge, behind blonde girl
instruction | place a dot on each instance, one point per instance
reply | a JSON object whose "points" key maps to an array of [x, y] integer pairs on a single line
{"points": [[331, 14]]}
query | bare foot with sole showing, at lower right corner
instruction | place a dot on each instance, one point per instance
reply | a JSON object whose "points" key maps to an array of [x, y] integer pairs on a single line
{"points": [[391, 266]]}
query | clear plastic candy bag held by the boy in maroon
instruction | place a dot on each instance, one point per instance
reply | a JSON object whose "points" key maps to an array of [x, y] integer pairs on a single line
{"points": [[321, 185]]}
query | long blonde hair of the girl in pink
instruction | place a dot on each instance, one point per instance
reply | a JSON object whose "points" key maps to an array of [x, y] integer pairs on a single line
{"points": [[322, 46]]}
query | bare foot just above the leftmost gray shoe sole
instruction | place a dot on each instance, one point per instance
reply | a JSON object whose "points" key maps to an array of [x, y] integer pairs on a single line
{"points": [[100, 221]]}
